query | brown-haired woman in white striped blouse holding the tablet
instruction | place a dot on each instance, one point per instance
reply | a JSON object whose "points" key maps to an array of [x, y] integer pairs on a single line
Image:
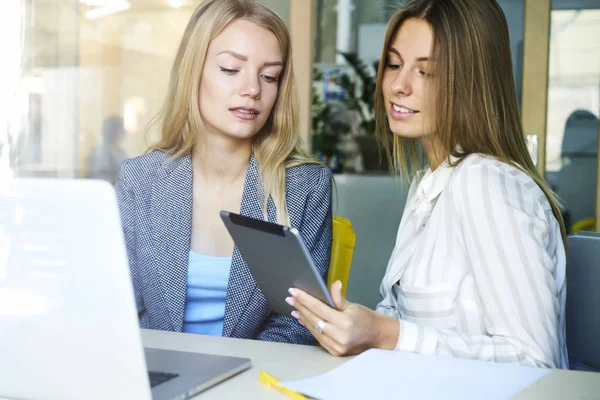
{"points": [[478, 270]]}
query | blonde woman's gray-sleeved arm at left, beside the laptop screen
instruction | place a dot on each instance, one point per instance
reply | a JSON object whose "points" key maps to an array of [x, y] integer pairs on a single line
{"points": [[127, 212]]}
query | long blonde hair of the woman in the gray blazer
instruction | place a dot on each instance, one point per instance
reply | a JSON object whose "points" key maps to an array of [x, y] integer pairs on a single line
{"points": [[277, 146]]}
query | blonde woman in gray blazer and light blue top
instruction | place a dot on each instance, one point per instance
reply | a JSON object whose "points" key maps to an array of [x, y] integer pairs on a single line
{"points": [[229, 142]]}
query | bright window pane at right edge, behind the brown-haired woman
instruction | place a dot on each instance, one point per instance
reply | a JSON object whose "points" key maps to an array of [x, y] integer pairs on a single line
{"points": [[574, 107]]}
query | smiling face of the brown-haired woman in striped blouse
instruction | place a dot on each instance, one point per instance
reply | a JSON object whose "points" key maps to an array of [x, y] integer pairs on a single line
{"points": [[407, 69]]}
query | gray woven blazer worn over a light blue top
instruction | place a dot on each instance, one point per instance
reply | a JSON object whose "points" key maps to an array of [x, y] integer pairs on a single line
{"points": [[155, 202]]}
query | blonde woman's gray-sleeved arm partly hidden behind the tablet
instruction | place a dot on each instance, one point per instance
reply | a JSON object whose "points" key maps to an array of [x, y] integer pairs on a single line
{"points": [[316, 230]]}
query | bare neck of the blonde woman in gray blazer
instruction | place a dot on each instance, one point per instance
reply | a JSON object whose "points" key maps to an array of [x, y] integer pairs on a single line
{"points": [[220, 160]]}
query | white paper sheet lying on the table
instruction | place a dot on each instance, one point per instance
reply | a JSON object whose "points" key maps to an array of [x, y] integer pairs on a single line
{"points": [[380, 374]]}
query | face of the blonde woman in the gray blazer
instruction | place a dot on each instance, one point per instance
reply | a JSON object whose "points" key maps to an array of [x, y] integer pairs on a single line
{"points": [[240, 80]]}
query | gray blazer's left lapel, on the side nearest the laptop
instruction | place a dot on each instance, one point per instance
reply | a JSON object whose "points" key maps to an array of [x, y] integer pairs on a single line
{"points": [[171, 228]]}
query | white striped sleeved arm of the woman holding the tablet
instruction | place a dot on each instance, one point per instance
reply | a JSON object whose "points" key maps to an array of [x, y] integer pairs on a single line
{"points": [[506, 237]]}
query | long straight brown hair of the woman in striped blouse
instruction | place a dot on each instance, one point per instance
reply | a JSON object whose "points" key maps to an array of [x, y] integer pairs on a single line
{"points": [[476, 109]]}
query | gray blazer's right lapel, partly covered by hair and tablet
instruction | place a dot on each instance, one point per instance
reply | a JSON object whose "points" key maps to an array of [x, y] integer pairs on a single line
{"points": [[242, 285]]}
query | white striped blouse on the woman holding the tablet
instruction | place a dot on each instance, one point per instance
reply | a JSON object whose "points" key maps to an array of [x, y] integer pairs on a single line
{"points": [[478, 270]]}
